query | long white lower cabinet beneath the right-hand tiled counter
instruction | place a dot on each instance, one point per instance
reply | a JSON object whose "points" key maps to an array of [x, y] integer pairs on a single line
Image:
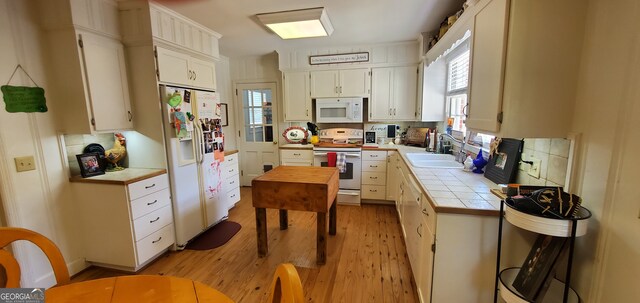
{"points": [[452, 256]]}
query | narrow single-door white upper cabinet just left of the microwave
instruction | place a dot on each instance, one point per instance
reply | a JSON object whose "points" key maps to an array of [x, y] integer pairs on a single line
{"points": [[297, 101]]}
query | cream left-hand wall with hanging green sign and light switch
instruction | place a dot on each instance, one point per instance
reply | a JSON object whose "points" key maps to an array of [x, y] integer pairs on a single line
{"points": [[39, 200]]}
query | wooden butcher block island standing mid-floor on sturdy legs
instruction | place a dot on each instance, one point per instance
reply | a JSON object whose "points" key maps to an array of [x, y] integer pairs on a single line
{"points": [[297, 188]]}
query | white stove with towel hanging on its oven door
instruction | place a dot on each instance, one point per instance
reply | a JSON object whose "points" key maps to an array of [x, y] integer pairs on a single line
{"points": [[350, 180]]}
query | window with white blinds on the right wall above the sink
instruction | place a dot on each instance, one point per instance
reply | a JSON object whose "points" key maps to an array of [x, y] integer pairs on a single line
{"points": [[457, 86]]}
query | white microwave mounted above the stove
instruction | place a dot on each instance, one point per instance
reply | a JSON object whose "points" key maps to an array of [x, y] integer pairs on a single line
{"points": [[339, 110]]}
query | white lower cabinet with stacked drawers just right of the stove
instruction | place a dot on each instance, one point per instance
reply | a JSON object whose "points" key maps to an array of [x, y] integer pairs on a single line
{"points": [[374, 175]]}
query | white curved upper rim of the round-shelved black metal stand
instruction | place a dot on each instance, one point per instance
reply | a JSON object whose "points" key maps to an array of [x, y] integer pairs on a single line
{"points": [[547, 226]]}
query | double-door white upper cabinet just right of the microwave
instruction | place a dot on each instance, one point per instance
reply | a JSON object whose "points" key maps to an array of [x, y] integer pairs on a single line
{"points": [[393, 93]]}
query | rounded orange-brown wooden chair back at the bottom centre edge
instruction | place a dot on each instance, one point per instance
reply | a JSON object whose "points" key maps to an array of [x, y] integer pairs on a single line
{"points": [[286, 286]]}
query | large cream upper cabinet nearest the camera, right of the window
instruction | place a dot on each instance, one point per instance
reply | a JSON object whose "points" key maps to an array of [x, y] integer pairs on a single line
{"points": [[524, 66]]}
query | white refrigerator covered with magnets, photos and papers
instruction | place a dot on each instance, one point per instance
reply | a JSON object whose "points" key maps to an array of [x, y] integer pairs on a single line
{"points": [[195, 150]]}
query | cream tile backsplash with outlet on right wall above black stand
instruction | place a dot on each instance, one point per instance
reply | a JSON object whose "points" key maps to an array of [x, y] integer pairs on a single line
{"points": [[554, 159]]}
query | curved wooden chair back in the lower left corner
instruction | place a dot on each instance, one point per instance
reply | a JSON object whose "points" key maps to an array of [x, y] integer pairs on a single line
{"points": [[9, 262]]}
